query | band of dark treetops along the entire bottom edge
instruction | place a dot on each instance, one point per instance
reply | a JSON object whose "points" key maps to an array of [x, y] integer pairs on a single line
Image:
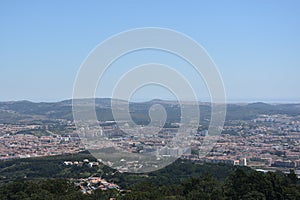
{"points": [[240, 184]]}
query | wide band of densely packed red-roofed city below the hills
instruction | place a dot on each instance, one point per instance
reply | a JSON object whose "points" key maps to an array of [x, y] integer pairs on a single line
{"points": [[267, 141]]}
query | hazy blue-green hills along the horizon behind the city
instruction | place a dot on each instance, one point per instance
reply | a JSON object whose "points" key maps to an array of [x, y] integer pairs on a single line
{"points": [[26, 111]]}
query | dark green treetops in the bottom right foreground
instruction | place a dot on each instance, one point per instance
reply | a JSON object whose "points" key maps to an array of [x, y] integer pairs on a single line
{"points": [[239, 185]]}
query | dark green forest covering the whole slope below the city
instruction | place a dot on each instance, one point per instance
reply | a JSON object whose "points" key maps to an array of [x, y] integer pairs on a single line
{"points": [[181, 180]]}
